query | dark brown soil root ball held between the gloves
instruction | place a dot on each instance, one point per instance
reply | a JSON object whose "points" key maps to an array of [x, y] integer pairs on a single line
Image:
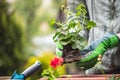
{"points": [[70, 55]]}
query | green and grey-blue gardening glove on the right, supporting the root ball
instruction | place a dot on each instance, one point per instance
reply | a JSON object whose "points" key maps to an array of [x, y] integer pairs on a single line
{"points": [[96, 48]]}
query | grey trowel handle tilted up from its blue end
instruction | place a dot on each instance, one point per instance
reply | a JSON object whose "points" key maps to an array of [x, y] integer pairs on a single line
{"points": [[32, 69]]}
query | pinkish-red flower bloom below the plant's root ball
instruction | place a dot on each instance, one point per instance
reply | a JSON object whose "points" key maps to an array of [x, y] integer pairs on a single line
{"points": [[57, 61]]}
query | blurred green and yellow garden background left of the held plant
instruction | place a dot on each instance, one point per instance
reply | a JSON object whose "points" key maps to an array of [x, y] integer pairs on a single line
{"points": [[25, 34]]}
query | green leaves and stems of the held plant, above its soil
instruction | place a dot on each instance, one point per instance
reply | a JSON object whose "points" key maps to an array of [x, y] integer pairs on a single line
{"points": [[68, 33]]}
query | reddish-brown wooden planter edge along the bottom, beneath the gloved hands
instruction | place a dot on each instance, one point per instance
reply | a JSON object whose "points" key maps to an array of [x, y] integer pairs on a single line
{"points": [[85, 77]]}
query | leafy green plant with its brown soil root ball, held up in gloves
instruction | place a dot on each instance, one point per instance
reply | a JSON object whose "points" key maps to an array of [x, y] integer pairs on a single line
{"points": [[67, 38]]}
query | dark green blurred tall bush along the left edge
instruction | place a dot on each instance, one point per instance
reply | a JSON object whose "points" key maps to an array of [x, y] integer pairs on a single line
{"points": [[12, 40]]}
